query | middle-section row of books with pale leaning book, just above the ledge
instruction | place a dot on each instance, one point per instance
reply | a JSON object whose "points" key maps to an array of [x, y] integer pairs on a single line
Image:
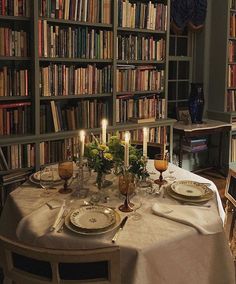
{"points": [[57, 116]]}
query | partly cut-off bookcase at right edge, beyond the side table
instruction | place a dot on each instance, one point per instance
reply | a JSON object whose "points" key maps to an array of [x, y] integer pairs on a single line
{"points": [[222, 69]]}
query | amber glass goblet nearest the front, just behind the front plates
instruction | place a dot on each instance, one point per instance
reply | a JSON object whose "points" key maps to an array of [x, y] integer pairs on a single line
{"points": [[126, 188]]}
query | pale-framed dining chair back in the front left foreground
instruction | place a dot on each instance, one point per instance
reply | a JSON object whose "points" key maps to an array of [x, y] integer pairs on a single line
{"points": [[23, 264]]}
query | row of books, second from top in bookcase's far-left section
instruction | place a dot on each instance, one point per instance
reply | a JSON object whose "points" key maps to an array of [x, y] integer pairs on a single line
{"points": [[13, 42]]}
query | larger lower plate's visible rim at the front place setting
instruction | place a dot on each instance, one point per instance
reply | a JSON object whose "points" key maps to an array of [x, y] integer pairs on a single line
{"points": [[78, 230]]}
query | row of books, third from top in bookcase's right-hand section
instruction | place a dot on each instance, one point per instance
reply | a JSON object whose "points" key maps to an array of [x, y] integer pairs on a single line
{"points": [[142, 78]]}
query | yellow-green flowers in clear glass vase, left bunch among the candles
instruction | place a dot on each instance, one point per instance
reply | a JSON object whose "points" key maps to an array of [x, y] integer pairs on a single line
{"points": [[100, 159]]}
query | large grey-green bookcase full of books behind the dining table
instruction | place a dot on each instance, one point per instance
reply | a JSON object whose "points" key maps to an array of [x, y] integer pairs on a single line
{"points": [[79, 62]]}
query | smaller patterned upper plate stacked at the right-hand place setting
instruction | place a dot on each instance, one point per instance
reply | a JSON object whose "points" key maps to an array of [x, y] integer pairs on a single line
{"points": [[190, 189]]}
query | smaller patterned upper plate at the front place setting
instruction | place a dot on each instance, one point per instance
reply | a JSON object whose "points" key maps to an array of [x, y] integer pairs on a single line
{"points": [[93, 217]]}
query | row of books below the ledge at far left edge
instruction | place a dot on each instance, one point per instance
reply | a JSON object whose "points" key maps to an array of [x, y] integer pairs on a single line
{"points": [[17, 156]]}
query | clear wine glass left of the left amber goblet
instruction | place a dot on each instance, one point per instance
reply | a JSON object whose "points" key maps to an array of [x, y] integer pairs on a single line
{"points": [[46, 180]]}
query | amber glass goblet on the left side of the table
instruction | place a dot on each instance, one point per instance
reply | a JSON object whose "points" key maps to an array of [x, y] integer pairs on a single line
{"points": [[65, 171]]}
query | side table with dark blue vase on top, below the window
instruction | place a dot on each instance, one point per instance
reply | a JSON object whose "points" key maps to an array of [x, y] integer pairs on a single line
{"points": [[207, 128]]}
